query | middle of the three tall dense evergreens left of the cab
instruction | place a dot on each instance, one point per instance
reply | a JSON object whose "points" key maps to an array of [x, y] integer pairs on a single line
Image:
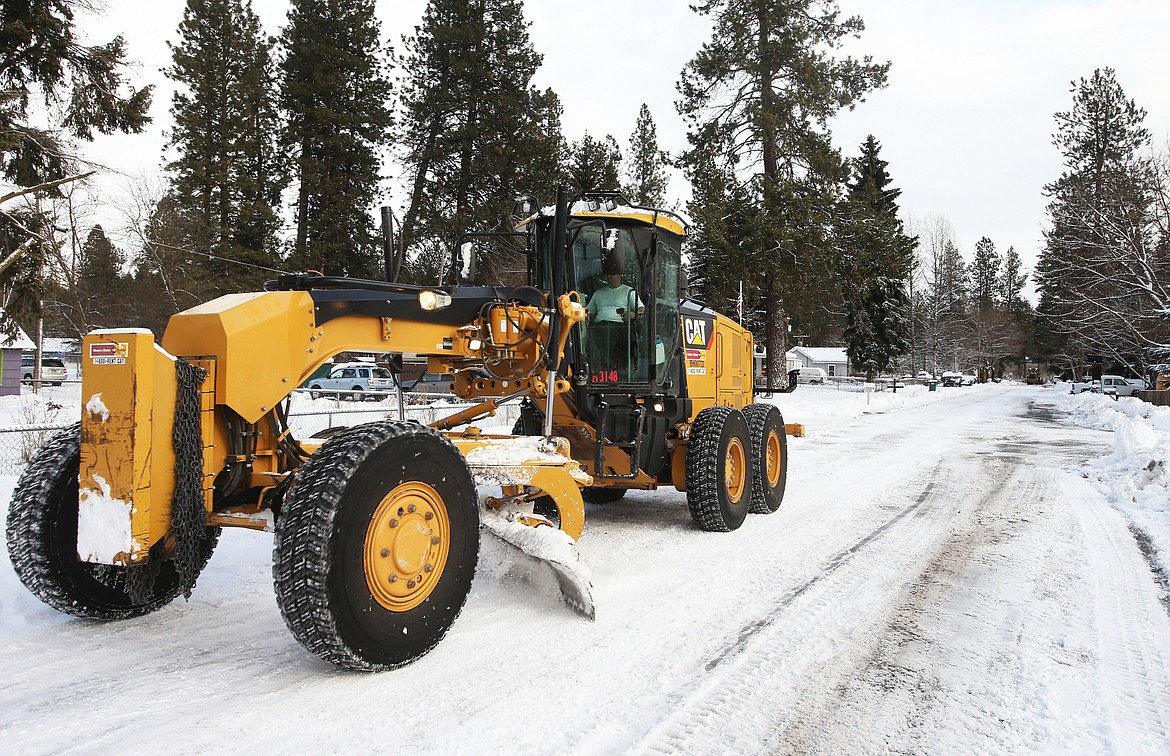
{"points": [[335, 91]]}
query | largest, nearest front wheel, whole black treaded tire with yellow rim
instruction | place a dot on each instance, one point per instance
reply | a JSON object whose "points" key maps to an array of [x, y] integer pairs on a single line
{"points": [[329, 531]]}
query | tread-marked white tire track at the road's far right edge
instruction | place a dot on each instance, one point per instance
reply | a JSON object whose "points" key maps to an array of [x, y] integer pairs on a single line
{"points": [[1132, 627]]}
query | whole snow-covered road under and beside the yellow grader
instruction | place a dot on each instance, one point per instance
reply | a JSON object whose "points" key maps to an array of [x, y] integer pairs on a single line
{"points": [[941, 579]]}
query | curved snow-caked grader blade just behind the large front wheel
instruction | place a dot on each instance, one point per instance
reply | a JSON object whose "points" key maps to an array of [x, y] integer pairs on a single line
{"points": [[536, 539]]}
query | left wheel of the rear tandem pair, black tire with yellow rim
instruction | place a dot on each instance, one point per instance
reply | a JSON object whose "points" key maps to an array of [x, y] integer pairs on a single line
{"points": [[719, 470]]}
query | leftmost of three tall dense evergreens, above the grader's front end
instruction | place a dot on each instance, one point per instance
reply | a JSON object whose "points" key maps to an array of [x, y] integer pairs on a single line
{"points": [[228, 167]]}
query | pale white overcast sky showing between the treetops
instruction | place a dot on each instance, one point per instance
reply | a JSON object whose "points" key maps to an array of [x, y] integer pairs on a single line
{"points": [[966, 122]]}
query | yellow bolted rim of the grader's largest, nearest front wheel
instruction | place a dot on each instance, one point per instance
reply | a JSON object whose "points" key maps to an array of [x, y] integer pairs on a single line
{"points": [[407, 546]]}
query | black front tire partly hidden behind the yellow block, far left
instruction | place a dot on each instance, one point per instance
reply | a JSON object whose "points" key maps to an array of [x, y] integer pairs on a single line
{"points": [[43, 544]]}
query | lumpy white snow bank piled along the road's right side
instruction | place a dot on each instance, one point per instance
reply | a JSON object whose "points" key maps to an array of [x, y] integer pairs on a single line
{"points": [[1134, 478]]}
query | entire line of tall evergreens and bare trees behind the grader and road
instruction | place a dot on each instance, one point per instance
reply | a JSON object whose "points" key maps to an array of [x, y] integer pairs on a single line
{"points": [[276, 163]]}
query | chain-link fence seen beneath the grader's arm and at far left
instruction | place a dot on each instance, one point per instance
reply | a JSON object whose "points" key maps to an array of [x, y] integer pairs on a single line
{"points": [[19, 444]]}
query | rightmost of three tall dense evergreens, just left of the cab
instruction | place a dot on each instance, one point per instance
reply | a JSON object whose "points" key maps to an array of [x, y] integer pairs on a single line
{"points": [[476, 134]]}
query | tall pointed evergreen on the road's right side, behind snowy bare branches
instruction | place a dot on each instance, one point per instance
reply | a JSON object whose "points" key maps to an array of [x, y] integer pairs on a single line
{"points": [[1100, 263]]}
